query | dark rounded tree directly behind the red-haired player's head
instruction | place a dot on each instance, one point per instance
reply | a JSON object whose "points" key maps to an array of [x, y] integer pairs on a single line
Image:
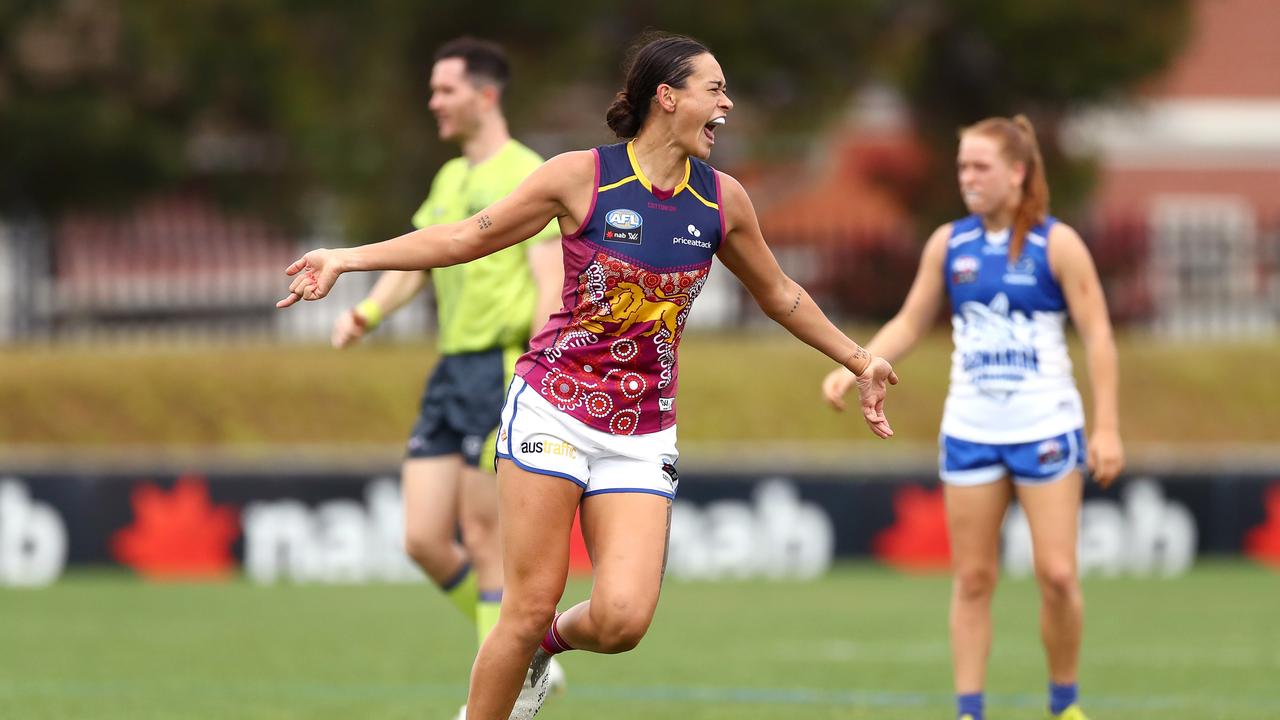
{"points": [[962, 61]]}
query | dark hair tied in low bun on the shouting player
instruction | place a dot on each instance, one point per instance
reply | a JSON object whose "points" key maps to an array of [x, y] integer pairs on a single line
{"points": [[655, 60]]}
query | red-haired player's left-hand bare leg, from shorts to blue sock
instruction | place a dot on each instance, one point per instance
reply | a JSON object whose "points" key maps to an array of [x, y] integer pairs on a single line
{"points": [[975, 516]]}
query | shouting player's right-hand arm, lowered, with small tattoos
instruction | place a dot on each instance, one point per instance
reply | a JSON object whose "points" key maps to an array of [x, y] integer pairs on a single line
{"points": [[747, 256]]}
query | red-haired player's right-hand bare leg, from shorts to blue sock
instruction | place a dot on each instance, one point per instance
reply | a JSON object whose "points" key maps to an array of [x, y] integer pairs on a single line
{"points": [[1054, 514]]}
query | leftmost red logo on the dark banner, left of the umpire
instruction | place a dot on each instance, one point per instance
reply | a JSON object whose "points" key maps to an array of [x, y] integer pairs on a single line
{"points": [[179, 535]]}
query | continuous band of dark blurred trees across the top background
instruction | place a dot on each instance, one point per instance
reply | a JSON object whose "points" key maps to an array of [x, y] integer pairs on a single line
{"points": [[272, 104]]}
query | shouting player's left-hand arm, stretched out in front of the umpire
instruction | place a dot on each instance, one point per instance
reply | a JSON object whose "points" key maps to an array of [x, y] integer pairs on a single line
{"points": [[547, 194]]}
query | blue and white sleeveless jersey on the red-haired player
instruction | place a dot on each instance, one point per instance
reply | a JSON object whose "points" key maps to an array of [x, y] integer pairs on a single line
{"points": [[1011, 372]]}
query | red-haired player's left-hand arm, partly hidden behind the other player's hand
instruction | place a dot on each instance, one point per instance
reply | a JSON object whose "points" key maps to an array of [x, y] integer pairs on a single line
{"points": [[909, 325]]}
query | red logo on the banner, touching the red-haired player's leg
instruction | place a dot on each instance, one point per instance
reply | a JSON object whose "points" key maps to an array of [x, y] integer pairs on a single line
{"points": [[918, 539]]}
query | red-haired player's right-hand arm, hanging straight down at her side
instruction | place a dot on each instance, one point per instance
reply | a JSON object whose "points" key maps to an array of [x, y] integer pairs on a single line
{"points": [[1073, 267]]}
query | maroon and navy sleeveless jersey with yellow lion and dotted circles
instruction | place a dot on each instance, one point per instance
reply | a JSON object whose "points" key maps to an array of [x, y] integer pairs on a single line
{"points": [[632, 274]]}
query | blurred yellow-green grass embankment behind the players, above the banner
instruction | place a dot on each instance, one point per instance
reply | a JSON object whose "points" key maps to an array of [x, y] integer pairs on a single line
{"points": [[739, 389]]}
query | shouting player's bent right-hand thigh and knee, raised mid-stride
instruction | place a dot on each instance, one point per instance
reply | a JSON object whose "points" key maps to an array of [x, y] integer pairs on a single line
{"points": [[627, 535]]}
